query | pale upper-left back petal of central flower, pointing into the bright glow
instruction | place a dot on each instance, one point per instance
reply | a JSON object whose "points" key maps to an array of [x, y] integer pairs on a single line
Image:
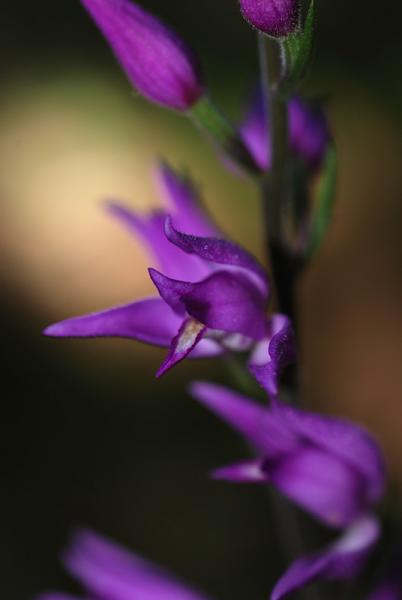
{"points": [[151, 230]]}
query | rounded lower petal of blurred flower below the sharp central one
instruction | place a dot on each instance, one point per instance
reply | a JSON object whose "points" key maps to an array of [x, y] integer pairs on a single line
{"points": [[321, 483]]}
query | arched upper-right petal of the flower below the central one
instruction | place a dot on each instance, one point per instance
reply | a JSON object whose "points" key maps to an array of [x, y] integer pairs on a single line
{"points": [[345, 440]]}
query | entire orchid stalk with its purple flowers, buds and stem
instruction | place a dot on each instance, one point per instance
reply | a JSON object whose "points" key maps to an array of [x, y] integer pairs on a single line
{"points": [[212, 296]]}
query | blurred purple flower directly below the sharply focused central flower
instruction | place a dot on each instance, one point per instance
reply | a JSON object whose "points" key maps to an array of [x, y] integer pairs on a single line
{"points": [[330, 467]]}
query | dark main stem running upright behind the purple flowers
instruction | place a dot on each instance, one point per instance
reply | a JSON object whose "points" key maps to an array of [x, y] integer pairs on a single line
{"points": [[276, 197]]}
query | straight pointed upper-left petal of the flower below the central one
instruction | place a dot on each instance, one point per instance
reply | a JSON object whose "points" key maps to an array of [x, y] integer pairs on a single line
{"points": [[253, 421]]}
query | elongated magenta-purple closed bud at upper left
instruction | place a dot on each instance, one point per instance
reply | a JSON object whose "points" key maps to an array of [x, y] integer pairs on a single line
{"points": [[157, 62]]}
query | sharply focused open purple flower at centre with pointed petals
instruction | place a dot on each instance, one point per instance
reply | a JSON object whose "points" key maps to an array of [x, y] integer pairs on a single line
{"points": [[213, 293]]}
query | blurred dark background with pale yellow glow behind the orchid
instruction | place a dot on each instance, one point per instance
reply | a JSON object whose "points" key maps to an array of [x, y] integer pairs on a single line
{"points": [[90, 437]]}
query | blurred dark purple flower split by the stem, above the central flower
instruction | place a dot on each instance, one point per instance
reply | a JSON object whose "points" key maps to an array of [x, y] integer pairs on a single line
{"points": [[308, 132]]}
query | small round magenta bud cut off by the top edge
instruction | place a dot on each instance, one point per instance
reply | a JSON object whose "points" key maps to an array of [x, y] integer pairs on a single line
{"points": [[277, 18]]}
